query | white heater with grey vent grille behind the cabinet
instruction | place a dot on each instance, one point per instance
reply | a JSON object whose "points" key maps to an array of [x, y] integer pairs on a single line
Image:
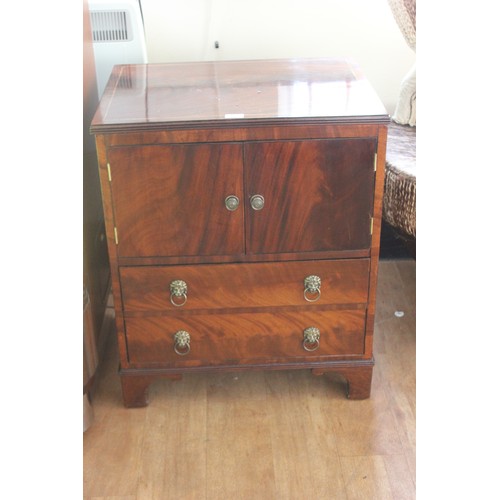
{"points": [[118, 36]]}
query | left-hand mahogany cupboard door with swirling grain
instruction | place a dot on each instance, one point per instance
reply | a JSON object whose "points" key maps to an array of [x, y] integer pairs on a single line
{"points": [[169, 200]]}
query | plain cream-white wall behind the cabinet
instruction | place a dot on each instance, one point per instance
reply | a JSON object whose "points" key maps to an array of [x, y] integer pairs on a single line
{"points": [[185, 30]]}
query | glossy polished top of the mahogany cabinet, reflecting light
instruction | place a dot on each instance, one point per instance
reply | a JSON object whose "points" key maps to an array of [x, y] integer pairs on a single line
{"points": [[237, 93]]}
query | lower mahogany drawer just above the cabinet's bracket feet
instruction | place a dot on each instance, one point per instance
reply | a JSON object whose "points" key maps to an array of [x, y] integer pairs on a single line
{"points": [[228, 339]]}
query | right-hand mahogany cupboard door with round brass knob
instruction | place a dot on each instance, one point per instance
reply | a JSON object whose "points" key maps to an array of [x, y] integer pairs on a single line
{"points": [[316, 195]]}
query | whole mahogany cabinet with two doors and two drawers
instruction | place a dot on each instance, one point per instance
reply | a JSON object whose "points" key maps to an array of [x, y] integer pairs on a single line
{"points": [[243, 209]]}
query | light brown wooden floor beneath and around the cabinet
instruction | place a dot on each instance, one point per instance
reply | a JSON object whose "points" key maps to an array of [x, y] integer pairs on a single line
{"points": [[272, 435]]}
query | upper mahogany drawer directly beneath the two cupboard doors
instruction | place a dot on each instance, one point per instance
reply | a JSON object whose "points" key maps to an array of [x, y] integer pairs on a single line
{"points": [[224, 286]]}
